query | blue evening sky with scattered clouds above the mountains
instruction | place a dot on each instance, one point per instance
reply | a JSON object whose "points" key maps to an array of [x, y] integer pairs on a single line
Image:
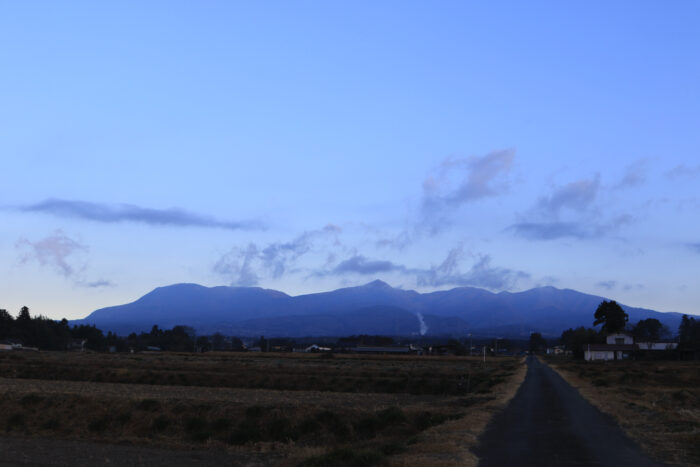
{"points": [[305, 146]]}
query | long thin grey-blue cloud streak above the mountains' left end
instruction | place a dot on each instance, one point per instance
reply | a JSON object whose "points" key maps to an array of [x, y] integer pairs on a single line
{"points": [[107, 213]]}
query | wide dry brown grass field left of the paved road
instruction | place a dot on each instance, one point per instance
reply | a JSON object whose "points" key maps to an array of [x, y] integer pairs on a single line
{"points": [[293, 409]]}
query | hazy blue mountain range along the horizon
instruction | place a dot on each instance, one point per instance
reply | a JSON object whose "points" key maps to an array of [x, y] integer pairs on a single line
{"points": [[374, 308]]}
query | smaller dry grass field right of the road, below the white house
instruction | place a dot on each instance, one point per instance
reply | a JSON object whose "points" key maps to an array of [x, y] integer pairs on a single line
{"points": [[656, 402]]}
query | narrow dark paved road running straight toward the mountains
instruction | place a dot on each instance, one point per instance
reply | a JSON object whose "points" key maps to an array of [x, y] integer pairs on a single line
{"points": [[548, 423]]}
